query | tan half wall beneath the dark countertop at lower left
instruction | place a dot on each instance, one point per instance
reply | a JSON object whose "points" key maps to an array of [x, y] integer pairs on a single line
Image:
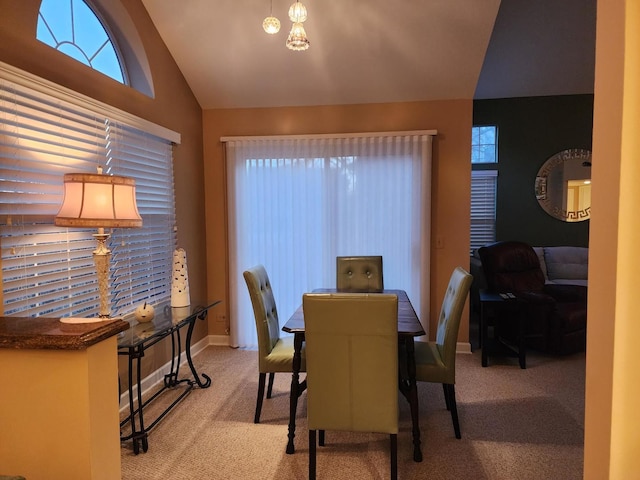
{"points": [[55, 422]]}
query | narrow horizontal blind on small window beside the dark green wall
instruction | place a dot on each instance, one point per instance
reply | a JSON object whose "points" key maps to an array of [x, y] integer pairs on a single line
{"points": [[483, 207]]}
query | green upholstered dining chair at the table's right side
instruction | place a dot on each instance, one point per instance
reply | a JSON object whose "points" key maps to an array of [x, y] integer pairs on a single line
{"points": [[436, 361]]}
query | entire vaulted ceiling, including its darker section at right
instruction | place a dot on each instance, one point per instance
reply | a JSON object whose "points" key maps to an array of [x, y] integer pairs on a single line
{"points": [[376, 51]]}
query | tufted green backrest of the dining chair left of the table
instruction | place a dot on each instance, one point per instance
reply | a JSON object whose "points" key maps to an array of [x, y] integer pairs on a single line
{"points": [[264, 310]]}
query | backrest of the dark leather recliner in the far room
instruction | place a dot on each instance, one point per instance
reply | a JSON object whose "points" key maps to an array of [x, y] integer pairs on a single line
{"points": [[511, 266]]}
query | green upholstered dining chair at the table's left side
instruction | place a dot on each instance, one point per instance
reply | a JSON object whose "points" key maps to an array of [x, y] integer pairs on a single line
{"points": [[275, 354]]}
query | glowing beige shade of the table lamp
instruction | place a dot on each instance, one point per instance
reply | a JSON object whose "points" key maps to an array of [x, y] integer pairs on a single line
{"points": [[97, 200]]}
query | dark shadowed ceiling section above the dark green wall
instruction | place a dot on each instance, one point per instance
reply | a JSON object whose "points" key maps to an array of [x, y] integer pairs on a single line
{"points": [[540, 47]]}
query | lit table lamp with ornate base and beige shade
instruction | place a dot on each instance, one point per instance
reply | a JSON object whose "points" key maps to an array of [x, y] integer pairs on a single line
{"points": [[101, 201]]}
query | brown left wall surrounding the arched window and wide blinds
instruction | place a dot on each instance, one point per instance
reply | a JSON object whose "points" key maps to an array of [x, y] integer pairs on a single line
{"points": [[174, 107]]}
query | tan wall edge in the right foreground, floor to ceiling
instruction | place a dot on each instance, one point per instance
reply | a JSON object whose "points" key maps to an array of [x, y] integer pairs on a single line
{"points": [[612, 418]]}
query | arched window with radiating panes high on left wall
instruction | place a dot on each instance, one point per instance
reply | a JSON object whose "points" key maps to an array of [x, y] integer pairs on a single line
{"points": [[73, 28]]}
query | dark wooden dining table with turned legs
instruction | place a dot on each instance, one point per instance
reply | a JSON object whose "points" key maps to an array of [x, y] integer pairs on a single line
{"points": [[409, 326]]}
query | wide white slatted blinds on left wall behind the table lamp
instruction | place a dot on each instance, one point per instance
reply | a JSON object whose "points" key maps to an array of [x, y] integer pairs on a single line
{"points": [[48, 270]]}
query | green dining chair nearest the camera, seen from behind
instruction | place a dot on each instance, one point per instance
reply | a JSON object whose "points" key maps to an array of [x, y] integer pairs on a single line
{"points": [[352, 366]]}
